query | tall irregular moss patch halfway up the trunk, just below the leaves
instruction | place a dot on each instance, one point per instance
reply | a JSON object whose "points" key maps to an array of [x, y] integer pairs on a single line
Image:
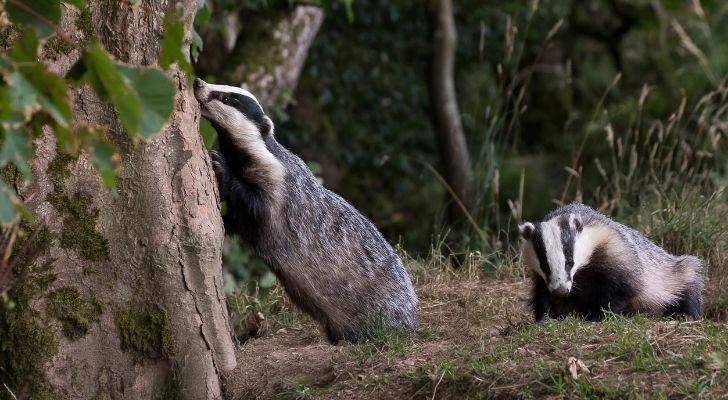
{"points": [[79, 219]]}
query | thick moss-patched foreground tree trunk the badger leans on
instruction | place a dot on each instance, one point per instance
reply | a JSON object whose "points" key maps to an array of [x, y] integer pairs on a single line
{"points": [[121, 295]]}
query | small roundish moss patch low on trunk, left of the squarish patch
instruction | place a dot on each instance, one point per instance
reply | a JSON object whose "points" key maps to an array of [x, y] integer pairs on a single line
{"points": [[74, 312]]}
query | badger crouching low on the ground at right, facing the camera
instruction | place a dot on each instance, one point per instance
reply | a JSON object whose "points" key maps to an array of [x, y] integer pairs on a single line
{"points": [[585, 263]]}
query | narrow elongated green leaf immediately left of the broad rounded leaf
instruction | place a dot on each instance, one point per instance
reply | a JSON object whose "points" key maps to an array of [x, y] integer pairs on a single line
{"points": [[110, 84]]}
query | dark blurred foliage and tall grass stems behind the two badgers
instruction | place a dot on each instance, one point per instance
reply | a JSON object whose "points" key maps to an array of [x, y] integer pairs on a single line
{"points": [[619, 104]]}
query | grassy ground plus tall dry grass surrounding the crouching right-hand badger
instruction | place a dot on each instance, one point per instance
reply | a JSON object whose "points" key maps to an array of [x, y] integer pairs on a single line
{"points": [[477, 338]]}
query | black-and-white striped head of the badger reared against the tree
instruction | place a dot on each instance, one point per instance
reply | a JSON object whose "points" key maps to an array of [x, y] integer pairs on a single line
{"points": [[240, 122]]}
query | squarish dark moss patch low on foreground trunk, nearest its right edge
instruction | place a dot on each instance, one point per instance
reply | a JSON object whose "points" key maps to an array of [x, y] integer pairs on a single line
{"points": [[145, 331]]}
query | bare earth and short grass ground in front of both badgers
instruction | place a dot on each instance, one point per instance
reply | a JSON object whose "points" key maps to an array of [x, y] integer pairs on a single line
{"points": [[477, 339]]}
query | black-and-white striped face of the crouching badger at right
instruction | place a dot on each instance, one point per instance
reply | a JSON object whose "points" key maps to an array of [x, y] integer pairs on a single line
{"points": [[549, 248]]}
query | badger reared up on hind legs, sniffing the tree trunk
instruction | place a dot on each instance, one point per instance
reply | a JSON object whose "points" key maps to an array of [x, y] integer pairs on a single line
{"points": [[332, 261]]}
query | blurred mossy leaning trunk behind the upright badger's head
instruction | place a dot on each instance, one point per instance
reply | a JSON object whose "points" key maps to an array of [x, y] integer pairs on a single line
{"points": [[262, 53]]}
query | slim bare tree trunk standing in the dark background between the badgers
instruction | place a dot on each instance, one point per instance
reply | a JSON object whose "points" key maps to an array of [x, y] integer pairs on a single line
{"points": [[446, 116]]}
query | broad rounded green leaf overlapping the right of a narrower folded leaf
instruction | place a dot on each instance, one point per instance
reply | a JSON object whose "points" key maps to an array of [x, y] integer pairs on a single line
{"points": [[156, 94]]}
